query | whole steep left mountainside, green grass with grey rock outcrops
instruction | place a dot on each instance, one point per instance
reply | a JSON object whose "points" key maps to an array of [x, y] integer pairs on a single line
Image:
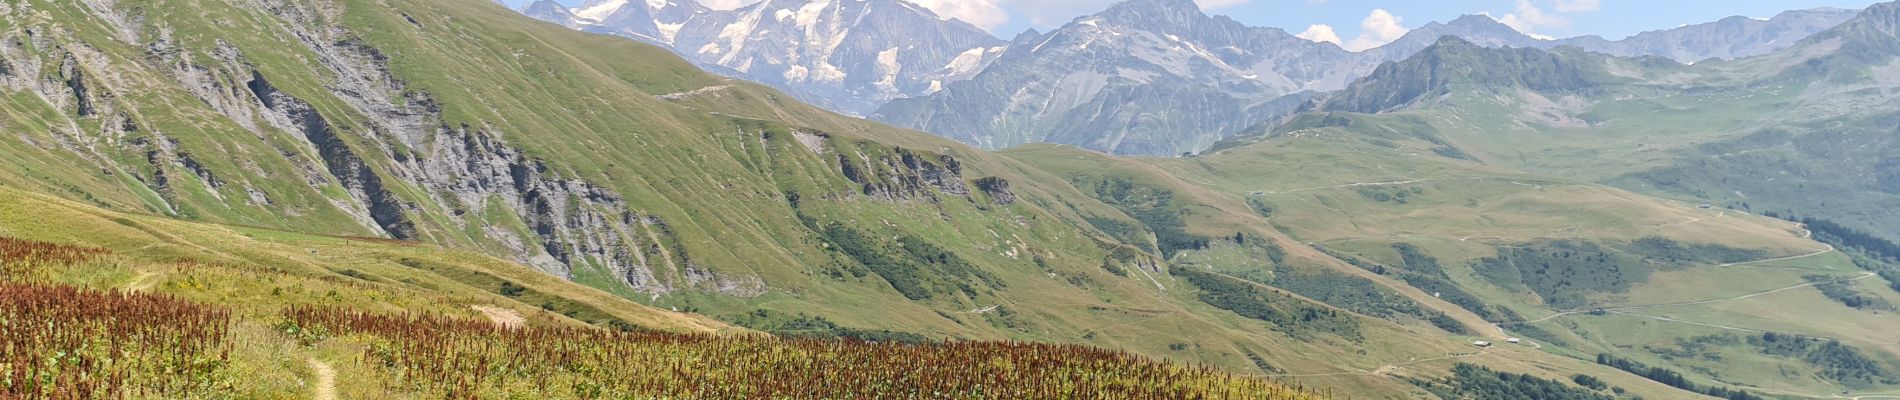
{"points": [[613, 166]]}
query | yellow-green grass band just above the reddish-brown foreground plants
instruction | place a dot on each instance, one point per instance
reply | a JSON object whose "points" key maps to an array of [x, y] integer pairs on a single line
{"points": [[244, 257]]}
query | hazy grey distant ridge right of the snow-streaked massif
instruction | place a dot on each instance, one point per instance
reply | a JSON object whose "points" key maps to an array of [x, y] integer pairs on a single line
{"points": [[1230, 98]]}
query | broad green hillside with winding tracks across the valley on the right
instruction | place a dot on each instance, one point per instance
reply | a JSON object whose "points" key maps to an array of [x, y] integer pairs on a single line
{"points": [[1618, 208]]}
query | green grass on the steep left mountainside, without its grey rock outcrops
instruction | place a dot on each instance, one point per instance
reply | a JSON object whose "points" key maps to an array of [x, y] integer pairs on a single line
{"points": [[586, 105]]}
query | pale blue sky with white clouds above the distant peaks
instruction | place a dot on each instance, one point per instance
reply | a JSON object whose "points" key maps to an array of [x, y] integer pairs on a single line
{"points": [[1363, 24]]}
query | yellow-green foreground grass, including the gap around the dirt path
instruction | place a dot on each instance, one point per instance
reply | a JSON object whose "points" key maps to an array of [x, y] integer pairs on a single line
{"points": [[263, 272]]}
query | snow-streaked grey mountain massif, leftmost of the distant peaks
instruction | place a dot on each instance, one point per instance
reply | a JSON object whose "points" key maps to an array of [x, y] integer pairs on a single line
{"points": [[848, 56]]}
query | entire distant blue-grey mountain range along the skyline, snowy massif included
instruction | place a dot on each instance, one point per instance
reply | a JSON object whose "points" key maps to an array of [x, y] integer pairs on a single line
{"points": [[1143, 77]]}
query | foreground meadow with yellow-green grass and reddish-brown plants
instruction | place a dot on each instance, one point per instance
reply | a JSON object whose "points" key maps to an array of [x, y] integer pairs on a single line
{"points": [[157, 308]]}
